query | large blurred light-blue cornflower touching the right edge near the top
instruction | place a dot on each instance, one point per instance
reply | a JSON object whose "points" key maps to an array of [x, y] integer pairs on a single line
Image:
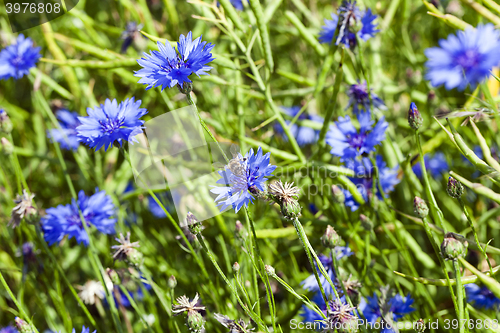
{"points": [[465, 58]]}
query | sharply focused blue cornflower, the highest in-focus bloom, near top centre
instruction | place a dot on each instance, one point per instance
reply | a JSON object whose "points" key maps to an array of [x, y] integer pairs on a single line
{"points": [[168, 67]]}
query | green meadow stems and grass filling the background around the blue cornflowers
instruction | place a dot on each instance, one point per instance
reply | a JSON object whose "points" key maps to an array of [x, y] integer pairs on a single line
{"points": [[83, 65]]}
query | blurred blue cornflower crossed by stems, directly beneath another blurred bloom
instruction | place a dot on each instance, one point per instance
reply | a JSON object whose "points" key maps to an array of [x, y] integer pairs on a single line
{"points": [[363, 169]]}
